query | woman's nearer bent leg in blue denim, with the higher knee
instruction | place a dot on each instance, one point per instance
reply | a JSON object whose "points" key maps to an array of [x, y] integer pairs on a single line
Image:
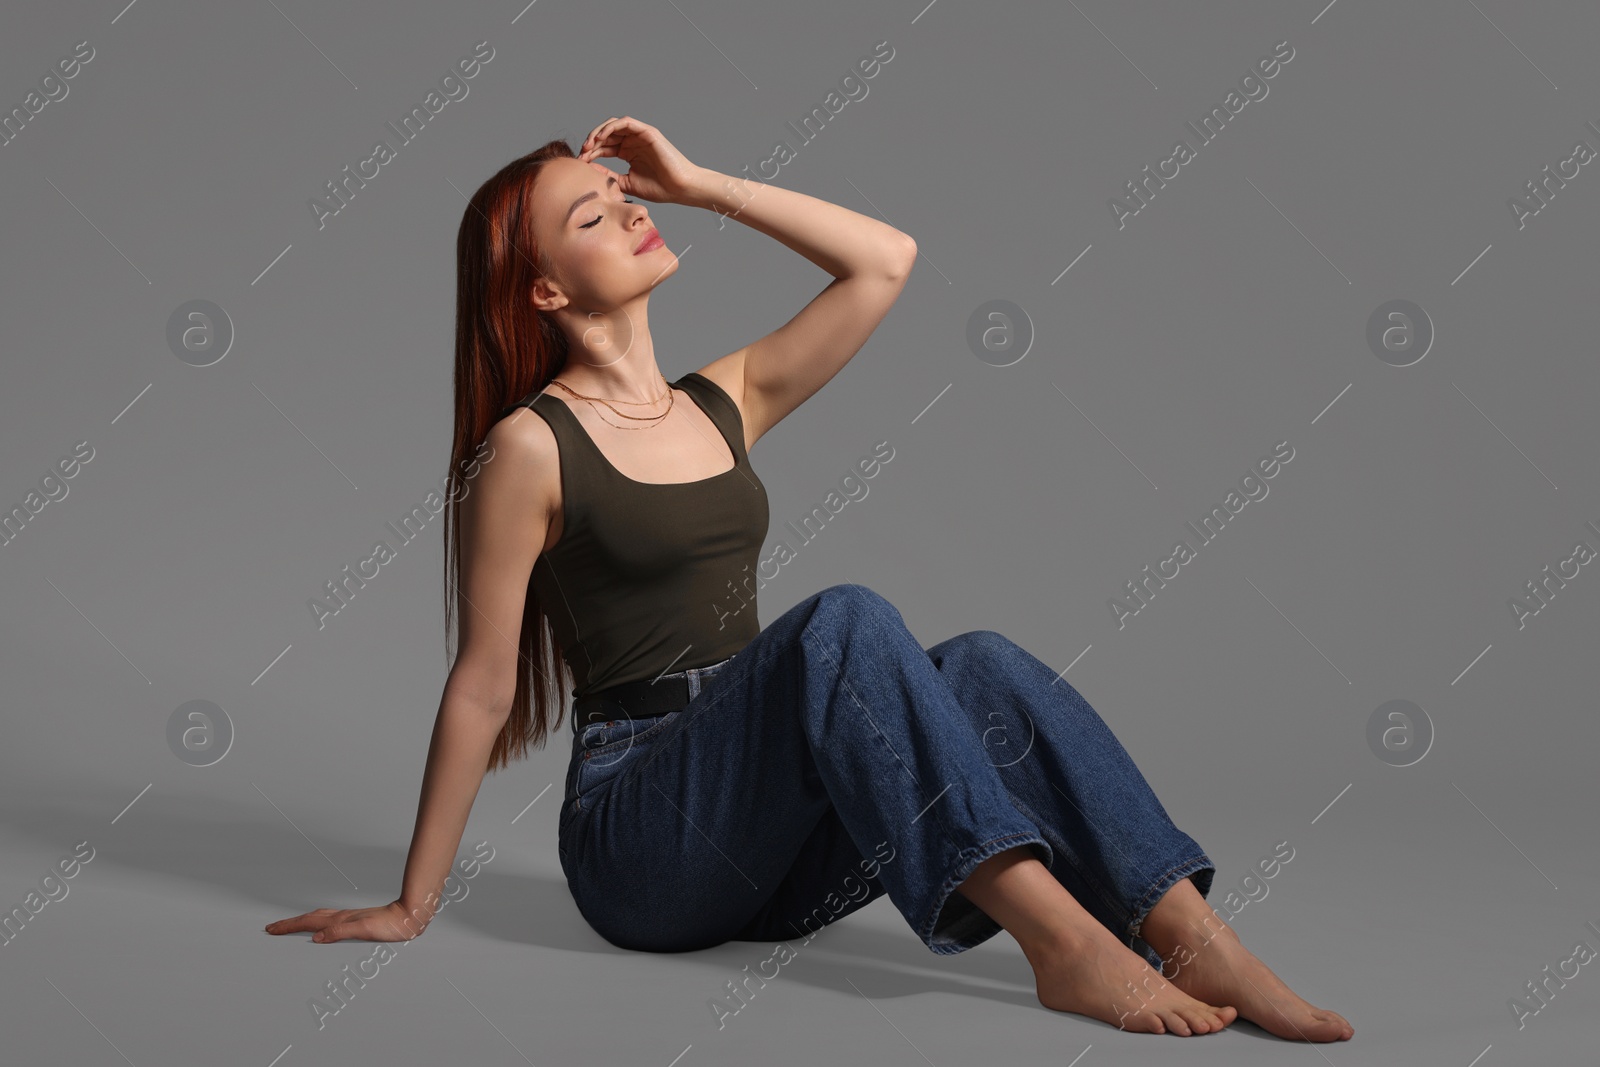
{"points": [[834, 706]]}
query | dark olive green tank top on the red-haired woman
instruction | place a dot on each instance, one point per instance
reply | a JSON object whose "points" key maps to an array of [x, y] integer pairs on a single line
{"points": [[649, 577]]}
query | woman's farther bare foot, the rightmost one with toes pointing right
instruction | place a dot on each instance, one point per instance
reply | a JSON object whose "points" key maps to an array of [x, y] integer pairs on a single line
{"points": [[1223, 972]]}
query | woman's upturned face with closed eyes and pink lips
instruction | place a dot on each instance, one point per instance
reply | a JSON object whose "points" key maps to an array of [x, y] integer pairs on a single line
{"points": [[593, 238]]}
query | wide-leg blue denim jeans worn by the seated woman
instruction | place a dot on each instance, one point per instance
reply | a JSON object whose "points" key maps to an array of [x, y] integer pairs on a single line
{"points": [[833, 761]]}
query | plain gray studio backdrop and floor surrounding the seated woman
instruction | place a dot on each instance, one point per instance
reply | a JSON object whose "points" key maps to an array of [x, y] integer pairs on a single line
{"points": [[1228, 316]]}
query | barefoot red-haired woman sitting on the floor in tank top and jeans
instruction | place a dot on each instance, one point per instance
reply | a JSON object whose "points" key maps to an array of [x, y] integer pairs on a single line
{"points": [[732, 783]]}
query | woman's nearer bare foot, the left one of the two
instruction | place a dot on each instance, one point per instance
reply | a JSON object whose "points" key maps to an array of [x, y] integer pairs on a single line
{"points": [[1098, 977]]}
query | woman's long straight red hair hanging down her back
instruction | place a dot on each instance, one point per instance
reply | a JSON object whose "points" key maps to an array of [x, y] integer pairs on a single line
{"points": [[505, 351]]}
